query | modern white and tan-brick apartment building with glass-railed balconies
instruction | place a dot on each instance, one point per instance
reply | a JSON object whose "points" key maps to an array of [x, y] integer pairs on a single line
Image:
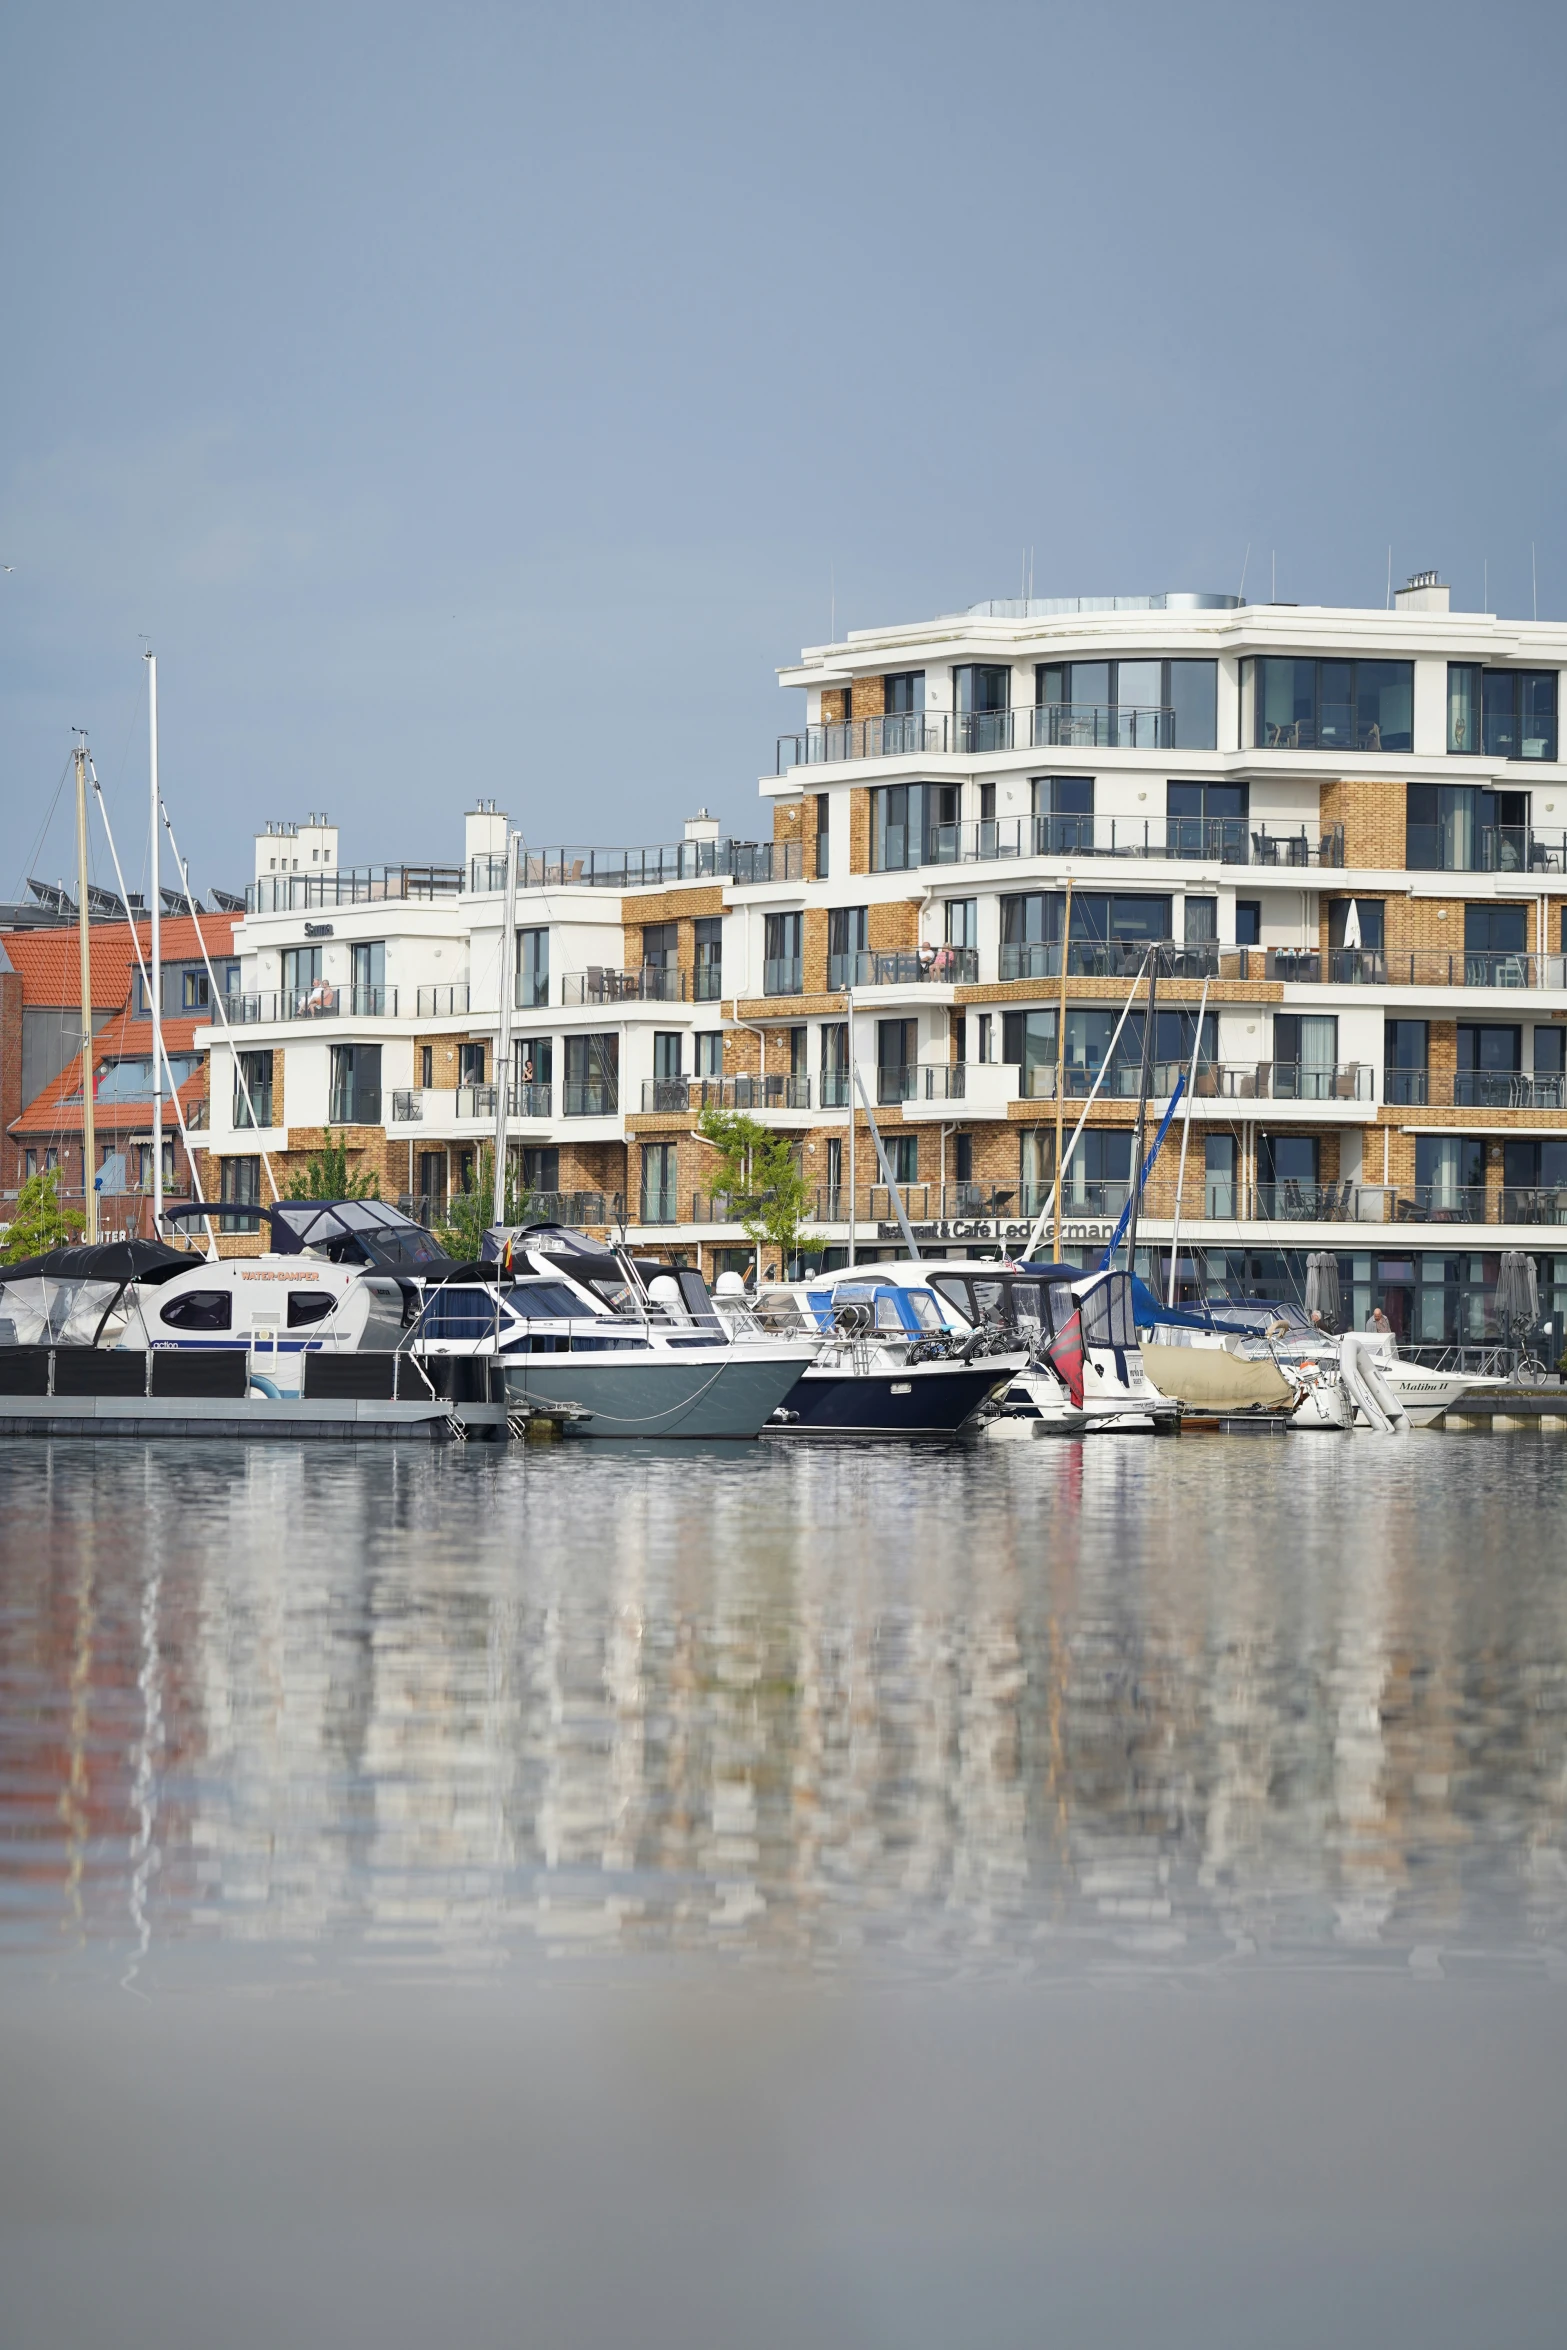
{"points": [[1340, 833]]}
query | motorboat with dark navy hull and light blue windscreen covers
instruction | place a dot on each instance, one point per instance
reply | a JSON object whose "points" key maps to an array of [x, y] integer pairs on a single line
{"points": [[889, 1357]]}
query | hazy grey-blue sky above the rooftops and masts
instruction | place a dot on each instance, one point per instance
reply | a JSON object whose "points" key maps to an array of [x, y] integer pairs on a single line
{"points": [[487, 401]]}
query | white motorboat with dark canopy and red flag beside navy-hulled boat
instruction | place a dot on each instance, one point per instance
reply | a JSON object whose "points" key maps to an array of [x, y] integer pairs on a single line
{"points": [[1080, 1359]]}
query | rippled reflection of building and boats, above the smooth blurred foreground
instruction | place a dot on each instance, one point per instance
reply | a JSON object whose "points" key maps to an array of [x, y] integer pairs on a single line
{"points": [[960, 1712]]}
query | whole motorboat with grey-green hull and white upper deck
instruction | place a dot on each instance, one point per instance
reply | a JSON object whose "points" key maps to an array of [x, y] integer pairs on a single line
{"points": [[635, 1345]]}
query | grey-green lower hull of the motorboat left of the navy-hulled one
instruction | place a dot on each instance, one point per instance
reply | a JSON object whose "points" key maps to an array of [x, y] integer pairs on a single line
{"points": [[666, 1397]]}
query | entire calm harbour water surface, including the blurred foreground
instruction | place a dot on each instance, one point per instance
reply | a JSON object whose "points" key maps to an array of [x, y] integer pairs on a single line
{"points": [[767, 1895]]}
